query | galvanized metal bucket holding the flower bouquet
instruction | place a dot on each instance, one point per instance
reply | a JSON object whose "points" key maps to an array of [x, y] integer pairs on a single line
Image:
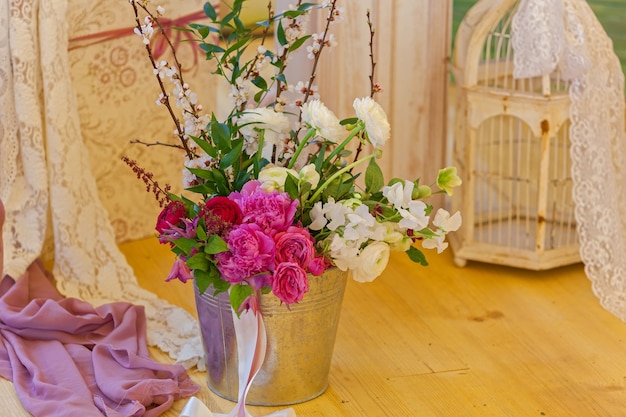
{"points": [[300, 343]]}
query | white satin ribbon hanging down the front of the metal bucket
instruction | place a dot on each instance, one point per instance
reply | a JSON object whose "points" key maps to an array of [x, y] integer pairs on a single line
{"points": [[251, 349]]}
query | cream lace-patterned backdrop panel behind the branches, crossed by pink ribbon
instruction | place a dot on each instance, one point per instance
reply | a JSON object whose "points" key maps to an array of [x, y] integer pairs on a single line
{"points": [[116, 94]]}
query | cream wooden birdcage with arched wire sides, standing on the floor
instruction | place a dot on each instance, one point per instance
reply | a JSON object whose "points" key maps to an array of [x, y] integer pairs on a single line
{"points": [[512, 149]]}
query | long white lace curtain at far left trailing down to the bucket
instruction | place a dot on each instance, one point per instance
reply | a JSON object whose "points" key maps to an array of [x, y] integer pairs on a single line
{"points": [[47, 185]]}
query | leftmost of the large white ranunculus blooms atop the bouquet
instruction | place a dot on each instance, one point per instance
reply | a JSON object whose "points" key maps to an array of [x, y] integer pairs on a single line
{"points": [[276, 125]]}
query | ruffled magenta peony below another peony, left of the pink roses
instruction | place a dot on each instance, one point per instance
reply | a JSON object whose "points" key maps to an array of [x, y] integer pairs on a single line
{"points": [[251, 253]]}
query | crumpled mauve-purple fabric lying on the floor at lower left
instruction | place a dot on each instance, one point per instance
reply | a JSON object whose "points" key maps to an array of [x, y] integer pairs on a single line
{"points": [[68, 358]]}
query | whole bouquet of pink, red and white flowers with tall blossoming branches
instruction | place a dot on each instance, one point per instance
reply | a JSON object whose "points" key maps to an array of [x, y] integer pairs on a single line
{"points": [[281, 189]]}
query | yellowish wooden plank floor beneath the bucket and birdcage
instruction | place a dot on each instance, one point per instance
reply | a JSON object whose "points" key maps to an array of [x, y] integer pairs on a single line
{"points": [[482, 340]]}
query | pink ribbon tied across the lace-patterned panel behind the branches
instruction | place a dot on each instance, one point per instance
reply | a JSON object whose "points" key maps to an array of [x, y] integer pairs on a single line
{"points": [[159, 41]]}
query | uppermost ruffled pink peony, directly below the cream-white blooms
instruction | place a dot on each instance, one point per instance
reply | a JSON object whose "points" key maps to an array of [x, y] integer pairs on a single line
{"points": [[274, 211]]}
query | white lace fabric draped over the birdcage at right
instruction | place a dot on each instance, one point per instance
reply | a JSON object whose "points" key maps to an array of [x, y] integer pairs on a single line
{"points": [[565, 35]]}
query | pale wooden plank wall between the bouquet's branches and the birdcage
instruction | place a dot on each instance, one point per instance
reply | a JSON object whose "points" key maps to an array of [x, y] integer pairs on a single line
{"points": [[412, 50]]}
